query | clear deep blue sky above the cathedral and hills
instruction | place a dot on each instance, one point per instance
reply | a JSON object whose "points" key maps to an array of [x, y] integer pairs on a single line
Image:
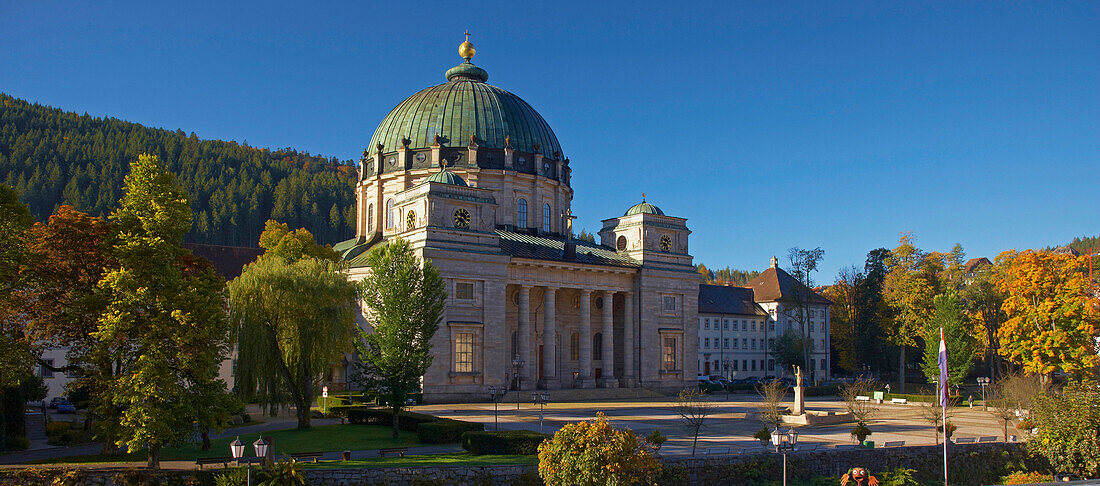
{"points": [[833, 125]]}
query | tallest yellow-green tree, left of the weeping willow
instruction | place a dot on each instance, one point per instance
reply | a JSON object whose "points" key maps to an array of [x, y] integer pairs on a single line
{"points": [[164, 321]]}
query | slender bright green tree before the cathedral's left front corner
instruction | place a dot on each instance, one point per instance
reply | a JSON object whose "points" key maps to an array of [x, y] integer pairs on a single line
{"points": [[404, 302]]}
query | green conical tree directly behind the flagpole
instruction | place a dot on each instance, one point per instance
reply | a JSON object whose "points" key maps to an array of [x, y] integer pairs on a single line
{"points": [[962, 347]]}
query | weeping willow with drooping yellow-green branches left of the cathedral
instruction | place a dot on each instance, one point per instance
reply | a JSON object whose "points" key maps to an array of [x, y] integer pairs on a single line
{"points": [[292, 321]]}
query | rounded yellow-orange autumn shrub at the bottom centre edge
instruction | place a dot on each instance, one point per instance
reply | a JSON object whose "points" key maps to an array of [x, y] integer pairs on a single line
{"points": [[596, 454]]}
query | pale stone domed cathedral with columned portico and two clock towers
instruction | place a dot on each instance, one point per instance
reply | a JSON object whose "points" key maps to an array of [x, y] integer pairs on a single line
{"points": [[476, 180]]}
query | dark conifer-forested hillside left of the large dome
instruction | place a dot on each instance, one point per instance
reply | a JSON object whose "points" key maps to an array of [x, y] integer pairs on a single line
{"points": [[53, 158]]}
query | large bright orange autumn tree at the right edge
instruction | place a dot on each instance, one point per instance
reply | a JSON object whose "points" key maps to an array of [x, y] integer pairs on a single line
{"points": [[1052, 316]]}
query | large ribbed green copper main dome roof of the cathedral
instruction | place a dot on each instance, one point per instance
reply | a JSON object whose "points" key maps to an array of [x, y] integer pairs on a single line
{"points": [[466, 106]]}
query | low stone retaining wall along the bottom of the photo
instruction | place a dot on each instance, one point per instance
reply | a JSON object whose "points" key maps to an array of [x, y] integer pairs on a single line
{"points": [[971, 465]]}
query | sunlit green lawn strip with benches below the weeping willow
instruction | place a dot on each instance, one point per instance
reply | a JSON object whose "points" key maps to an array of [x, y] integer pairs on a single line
{"points": [[317, 439]]}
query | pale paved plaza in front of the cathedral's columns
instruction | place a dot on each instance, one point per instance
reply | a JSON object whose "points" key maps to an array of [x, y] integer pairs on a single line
{"points": [[732, 425]]}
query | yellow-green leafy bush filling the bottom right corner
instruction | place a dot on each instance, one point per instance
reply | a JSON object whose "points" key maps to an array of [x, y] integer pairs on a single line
{"points": [[1068, 429]]}
